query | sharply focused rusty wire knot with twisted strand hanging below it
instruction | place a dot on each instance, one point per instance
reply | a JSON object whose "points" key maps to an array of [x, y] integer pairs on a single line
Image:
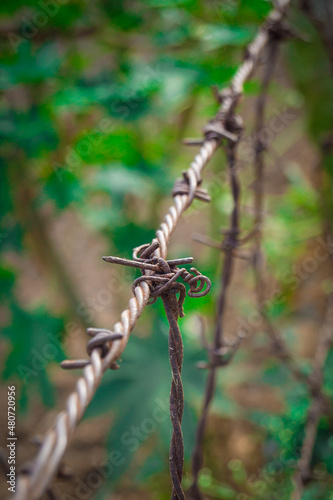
{"points": [[163, 283]]}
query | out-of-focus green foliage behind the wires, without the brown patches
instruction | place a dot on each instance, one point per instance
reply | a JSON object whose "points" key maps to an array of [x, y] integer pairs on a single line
{"points": [[96, 99]]}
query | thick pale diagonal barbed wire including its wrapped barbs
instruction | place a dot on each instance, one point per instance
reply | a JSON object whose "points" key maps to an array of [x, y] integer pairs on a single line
{"points": [[107, 346]]}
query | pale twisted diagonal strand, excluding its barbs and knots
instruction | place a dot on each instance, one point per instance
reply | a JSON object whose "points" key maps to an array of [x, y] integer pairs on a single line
{"points": [[31, 486]]}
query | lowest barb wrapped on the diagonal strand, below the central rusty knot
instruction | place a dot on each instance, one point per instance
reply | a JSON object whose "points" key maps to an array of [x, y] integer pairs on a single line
{"points": [[102, 340]]}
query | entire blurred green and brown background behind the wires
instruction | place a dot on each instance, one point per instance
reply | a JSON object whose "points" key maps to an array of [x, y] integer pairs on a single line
{"points": [[96, 99]]}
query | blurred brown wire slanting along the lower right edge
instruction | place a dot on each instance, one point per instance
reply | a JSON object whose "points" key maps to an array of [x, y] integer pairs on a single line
{"points": [[303, 472]]}
